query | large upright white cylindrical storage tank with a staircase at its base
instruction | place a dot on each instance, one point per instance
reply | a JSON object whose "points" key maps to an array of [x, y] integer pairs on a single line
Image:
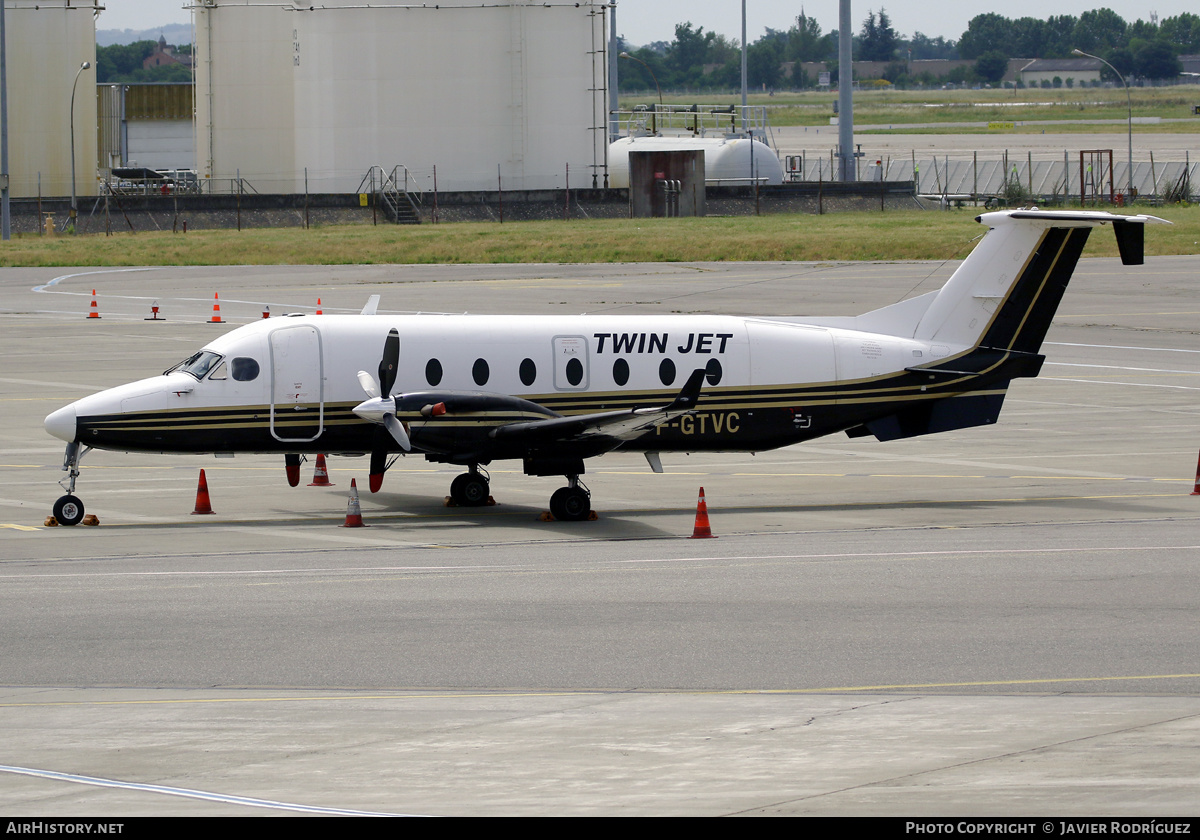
{"points": [[511, 92]]}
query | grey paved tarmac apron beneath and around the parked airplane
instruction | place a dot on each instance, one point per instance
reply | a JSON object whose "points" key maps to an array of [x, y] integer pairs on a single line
{"points": [[988, 622]]}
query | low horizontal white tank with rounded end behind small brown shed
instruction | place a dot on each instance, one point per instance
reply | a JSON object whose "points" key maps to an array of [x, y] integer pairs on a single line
{"points": [[729, 161]]}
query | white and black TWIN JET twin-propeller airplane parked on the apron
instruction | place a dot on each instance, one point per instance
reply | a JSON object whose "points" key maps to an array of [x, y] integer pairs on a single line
{"points": [[553, 392]]}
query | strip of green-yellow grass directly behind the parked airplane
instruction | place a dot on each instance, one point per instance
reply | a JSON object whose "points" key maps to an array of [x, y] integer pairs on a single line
{"points": [[909, 235]]}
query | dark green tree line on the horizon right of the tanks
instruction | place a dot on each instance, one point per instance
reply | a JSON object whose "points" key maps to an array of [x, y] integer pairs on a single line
{"points": [[700, 61]]}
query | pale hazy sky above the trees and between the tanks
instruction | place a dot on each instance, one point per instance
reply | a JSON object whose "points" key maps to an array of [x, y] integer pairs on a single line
{"points": [[645, 21]]}
